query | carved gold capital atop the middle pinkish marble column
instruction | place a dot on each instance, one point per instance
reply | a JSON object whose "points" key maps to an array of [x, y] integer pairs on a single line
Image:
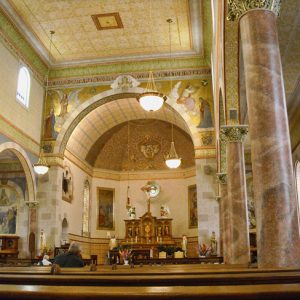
{"points": [[233, 133]]}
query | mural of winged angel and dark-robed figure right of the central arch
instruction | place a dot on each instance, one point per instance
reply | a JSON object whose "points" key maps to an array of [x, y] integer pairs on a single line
{"points": [[192, 103]]}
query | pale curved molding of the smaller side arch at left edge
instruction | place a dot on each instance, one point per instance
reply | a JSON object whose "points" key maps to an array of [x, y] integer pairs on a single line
{"points": [[26, 164]]}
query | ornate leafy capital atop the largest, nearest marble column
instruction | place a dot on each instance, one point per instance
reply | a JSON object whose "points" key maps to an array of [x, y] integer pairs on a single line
{"points": [[236, 8]]}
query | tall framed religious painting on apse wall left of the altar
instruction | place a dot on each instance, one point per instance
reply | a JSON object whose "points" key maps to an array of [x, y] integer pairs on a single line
{"points": [[105, 217]]}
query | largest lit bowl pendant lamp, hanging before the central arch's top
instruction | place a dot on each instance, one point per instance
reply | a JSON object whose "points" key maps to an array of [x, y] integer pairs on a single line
{"points": [[151, 99]]}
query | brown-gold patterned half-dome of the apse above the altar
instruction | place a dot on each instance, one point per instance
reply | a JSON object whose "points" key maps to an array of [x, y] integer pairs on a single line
{"points": [[148, 141]]}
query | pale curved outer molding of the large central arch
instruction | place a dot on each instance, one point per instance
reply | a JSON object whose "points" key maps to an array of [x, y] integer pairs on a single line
{"points": [[100, 99]]}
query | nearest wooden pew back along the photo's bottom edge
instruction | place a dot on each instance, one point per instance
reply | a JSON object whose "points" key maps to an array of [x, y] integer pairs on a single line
{"points": [[253, 292]]}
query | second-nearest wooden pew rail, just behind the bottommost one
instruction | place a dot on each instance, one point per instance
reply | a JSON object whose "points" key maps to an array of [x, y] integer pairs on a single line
{"points": [[148, 276]]}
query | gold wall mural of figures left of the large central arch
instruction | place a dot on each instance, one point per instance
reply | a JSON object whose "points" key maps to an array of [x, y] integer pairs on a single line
{"points": [[67, 103]]}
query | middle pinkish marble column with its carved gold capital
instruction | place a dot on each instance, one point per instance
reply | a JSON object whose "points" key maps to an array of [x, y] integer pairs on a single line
{"points": [[238, 245]]}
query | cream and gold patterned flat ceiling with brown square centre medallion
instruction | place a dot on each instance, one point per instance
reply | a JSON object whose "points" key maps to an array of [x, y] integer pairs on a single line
{"points": [[89, 31]]}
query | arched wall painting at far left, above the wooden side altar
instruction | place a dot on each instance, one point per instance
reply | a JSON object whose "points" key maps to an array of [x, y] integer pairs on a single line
{"points": [[8, 210]]}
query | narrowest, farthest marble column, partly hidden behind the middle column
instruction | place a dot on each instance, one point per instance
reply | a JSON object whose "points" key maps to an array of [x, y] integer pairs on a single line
{"points": [[224, 215]]}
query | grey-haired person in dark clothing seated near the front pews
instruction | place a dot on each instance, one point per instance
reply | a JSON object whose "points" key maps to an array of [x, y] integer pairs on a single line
{"points": [[70, 259]]}
